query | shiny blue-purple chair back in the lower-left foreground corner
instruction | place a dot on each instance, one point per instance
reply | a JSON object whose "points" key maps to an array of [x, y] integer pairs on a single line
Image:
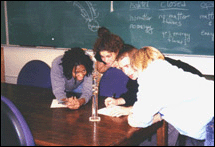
{"points": [[14, 129]]}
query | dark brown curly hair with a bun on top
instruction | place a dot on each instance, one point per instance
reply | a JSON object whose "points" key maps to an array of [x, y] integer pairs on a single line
{"points": [[107, 42]]}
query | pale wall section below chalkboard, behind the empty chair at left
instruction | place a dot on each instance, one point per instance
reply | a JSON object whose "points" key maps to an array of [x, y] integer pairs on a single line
{"points": [[16, 57]]}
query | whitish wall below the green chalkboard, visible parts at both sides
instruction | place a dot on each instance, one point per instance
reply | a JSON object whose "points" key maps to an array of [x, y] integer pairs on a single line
{"points": [[17, 57]]}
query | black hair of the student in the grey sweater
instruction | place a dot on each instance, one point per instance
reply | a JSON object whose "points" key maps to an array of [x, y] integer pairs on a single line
{"points": [[74, 57]]}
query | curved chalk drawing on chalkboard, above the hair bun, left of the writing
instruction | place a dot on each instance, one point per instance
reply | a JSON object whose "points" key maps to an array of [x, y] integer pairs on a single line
{"points": [[90, 18]]}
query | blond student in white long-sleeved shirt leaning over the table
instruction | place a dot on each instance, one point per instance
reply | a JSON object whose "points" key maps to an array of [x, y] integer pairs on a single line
{"points": [[185, 100]]}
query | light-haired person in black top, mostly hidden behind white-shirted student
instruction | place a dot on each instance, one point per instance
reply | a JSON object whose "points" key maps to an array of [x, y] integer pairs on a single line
{"points": [[123, 58]]}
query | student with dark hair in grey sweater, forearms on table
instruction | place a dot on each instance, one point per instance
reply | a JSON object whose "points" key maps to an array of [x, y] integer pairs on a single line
{"points": [[71, 77]]}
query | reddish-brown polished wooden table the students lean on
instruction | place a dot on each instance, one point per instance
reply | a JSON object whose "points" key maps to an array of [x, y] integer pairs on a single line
{"points": [[65, 127]]}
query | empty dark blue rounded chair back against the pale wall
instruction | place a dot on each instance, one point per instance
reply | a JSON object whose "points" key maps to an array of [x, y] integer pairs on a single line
{"points": [[35, 73]]}
